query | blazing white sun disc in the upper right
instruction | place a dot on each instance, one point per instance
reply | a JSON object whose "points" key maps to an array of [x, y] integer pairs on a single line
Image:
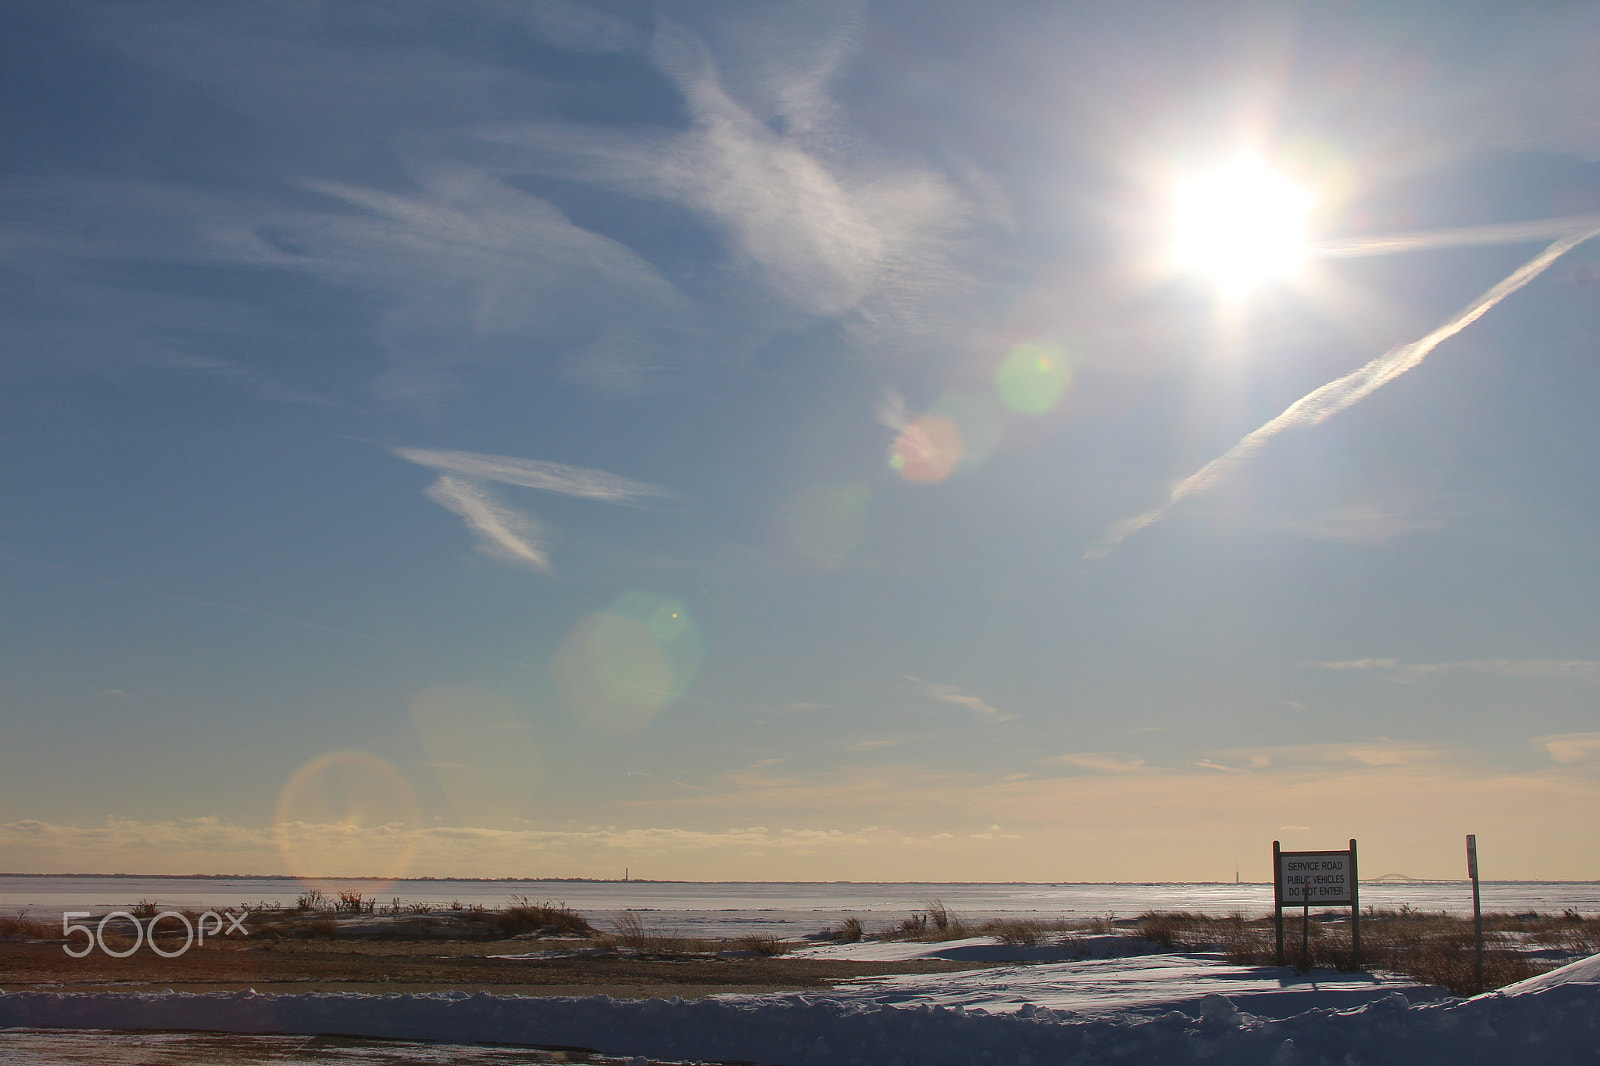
{"points": [[1239, 226]]}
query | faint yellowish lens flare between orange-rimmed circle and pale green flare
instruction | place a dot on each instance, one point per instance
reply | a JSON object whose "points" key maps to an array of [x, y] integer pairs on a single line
{"points": [[481, 751]]}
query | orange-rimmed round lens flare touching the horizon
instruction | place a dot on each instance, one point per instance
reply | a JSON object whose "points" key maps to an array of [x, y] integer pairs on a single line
{"points": [[346, 814]]}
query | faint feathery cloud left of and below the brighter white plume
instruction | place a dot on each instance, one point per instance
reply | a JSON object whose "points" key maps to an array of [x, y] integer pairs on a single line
{"points": [[476, 270]]}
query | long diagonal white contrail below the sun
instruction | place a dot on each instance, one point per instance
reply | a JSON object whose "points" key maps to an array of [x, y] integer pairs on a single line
{"points": [[1334, 398]]}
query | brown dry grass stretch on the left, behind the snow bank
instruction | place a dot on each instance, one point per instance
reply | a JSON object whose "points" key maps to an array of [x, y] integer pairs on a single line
{"points": [[527, 948]]}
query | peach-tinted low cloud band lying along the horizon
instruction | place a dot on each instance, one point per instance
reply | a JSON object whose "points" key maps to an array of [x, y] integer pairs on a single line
{"points": [[874, 825]]}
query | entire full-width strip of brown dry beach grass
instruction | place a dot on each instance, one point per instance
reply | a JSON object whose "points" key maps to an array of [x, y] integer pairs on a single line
{"points": [[550, 950]]}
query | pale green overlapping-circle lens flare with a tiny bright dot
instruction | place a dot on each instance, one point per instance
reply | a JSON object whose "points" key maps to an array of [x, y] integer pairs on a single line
{"points": [[625, 665]]}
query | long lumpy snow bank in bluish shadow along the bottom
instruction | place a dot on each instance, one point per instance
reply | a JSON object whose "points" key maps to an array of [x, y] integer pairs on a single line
{"points": [[1551, 1025]]}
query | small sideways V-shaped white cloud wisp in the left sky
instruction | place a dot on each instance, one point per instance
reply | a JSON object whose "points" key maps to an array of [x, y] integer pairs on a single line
{"points": [[505, 532]]}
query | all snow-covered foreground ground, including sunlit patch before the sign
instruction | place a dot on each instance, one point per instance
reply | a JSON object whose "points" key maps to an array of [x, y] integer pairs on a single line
{"points": [[1167, 1009]]}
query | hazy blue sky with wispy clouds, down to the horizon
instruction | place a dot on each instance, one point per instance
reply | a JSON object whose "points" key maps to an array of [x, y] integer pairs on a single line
{"points": [[777, 443]]}
